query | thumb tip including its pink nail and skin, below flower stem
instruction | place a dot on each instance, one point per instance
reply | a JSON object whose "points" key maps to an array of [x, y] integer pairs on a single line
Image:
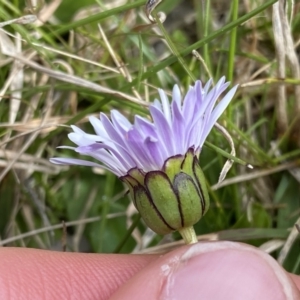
{"points": [[215, 270]]}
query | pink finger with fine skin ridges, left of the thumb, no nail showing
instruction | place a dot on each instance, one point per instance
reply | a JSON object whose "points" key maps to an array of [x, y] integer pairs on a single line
{"points": [[40, 274]]}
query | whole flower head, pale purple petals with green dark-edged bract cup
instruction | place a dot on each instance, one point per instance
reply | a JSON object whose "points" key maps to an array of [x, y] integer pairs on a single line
{"points": [[158, 159]]}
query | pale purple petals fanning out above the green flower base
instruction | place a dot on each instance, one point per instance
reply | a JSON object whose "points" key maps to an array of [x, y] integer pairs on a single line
{"points": [[146, 145]]}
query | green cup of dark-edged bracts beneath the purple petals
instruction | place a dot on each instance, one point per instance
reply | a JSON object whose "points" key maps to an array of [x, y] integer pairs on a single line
{"points": [[173, 198]]}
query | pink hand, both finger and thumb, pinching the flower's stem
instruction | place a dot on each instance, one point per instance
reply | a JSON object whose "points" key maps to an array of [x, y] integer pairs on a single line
{"points": [[210, 270]]}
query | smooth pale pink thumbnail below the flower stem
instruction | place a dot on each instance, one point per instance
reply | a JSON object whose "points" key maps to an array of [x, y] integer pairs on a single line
{"points": [[225, 270]]}
